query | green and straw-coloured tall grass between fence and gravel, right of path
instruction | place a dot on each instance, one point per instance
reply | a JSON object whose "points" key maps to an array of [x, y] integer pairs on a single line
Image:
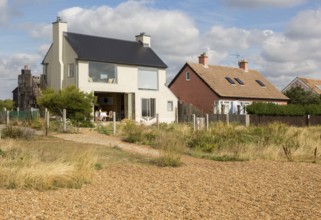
{"points": [[231, 142]]}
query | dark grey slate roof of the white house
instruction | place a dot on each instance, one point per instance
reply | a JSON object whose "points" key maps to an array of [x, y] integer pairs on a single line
{"points": [[94, 48]]}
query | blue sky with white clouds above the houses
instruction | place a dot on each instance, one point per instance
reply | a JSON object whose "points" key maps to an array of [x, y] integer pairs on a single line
{"points": [[279, 38]]}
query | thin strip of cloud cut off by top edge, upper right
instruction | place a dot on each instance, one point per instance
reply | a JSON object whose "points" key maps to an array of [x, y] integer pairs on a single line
{"points": [[263, 3]]}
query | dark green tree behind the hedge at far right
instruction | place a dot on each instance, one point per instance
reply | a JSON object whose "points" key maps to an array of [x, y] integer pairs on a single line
{"points": [[300, 96]]}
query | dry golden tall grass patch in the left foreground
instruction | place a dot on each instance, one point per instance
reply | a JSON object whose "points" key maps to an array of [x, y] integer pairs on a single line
{"points": [[45, 165]]}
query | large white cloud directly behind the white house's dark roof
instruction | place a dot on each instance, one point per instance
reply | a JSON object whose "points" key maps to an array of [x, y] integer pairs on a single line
{"points": [[174, 35]]}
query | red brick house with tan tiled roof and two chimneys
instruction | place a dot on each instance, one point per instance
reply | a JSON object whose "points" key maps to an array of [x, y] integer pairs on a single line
{"points": [[221, 89]]}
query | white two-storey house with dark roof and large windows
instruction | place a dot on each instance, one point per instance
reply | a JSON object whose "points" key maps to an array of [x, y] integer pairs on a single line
{"points": [[126, 76]]}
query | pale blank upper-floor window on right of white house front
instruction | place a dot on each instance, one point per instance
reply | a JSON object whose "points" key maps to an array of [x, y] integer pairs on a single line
{"points": [[147, 79]]}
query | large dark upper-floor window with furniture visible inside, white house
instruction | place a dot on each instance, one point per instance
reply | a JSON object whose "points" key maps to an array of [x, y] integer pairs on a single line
{"points": [[102, 72]]}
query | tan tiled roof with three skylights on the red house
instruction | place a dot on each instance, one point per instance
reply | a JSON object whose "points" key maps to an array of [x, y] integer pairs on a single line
{"points": [[215, 77]]}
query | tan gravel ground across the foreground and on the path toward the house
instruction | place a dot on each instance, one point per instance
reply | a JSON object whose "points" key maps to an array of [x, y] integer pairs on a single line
{"points": [[200, 189]]}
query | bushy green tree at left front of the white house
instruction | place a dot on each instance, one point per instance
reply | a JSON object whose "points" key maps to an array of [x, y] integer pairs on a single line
{"points": [[77, 103]]}
